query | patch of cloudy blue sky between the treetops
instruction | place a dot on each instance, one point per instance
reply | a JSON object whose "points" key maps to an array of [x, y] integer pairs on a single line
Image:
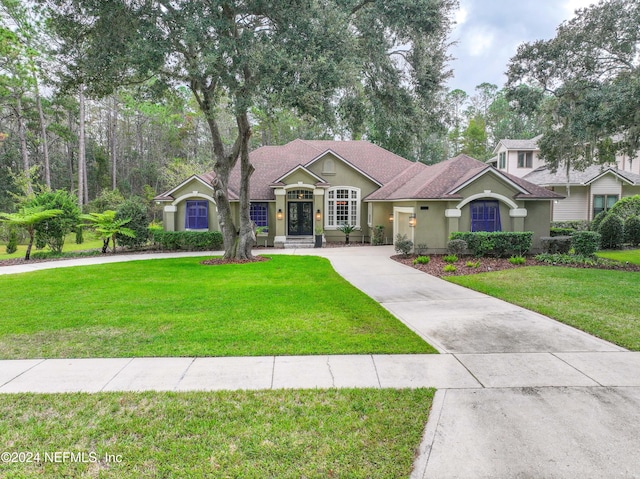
{"points": [[488, 33]]}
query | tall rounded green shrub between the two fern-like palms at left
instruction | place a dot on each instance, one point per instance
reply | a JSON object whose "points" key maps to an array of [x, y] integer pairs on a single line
{"points": [[51, 232]]}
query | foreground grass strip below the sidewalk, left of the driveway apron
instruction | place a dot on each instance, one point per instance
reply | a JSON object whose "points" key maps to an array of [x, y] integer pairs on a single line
{"points": [[268, 434]]}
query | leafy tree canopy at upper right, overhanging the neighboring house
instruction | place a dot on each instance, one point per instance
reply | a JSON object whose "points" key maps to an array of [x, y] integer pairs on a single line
{"points": [[591, 72]]}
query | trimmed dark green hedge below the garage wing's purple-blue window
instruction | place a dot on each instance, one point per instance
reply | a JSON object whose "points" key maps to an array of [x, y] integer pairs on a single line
{"points": [[500, 243]]}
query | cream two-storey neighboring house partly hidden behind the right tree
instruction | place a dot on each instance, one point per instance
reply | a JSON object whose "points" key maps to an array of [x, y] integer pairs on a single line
{"points": [[586, 192]]}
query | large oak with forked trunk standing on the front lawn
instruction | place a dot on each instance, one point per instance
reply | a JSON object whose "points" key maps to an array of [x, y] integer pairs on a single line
{"points": [[306, 55]]}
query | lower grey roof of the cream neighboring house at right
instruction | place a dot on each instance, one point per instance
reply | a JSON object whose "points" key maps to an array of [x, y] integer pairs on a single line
{"points": [[543, 176]]}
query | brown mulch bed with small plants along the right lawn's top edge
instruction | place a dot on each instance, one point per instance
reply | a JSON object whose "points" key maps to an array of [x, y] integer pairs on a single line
{"points": [[435, 267]]}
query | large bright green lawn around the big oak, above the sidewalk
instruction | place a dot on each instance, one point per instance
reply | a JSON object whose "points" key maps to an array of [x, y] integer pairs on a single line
{"points": [[179, 307]]}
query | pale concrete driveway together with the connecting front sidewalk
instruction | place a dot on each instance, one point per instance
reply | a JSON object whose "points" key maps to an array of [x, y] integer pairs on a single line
{"points": [[519, 395]]}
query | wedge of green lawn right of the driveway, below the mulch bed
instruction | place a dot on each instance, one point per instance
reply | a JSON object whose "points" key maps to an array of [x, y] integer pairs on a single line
{"points": [[601, 302]]}
